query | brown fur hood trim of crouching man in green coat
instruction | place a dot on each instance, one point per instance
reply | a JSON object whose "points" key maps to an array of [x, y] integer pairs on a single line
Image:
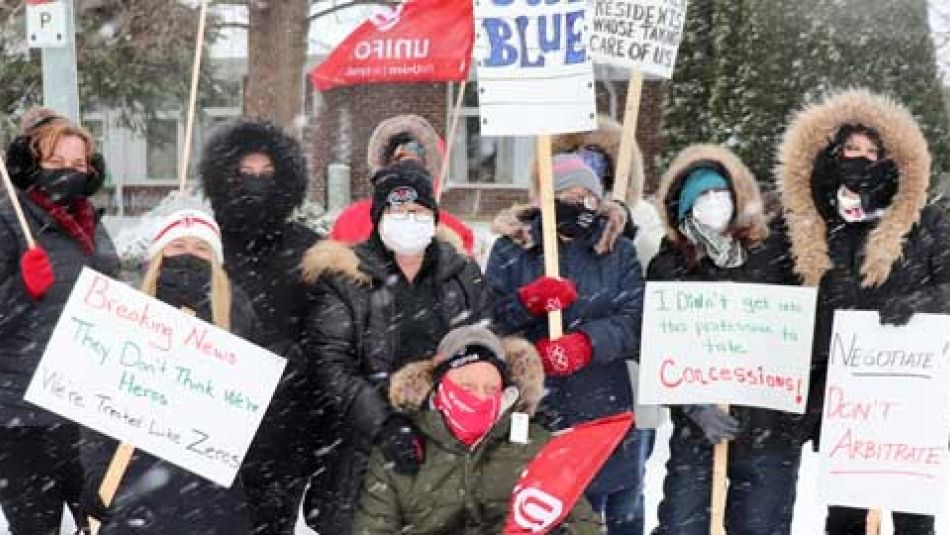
{"points": [[409, 388]]}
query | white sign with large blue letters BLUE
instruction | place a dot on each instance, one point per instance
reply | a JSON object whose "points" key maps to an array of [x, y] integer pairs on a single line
{"points": [[534, 73]]}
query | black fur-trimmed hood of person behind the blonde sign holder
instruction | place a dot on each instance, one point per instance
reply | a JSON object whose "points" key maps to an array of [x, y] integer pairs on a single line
{"points": [[233, 141]]}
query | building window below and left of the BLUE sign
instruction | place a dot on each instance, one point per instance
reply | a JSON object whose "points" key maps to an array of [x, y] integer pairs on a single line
{"points": [[478, 159]]}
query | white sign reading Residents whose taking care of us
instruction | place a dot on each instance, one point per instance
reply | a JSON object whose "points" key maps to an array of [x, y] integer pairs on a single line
{"points": [[643, 34]]}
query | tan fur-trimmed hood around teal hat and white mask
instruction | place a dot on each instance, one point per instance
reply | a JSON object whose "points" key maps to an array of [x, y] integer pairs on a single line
{"points": [[750, 223]]}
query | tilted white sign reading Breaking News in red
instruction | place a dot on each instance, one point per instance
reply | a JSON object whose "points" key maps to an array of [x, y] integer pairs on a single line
{"points": [[144, 373]]}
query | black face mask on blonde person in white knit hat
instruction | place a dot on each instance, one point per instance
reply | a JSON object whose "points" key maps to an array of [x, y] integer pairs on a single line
{"points": [[184, 281]]}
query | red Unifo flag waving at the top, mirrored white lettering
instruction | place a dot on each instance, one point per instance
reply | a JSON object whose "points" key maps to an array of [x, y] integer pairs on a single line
{"points": [[418, 41]]}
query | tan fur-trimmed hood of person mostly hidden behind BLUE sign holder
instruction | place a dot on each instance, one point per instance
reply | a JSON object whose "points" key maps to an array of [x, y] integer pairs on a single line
{"points": [[607, 138]]}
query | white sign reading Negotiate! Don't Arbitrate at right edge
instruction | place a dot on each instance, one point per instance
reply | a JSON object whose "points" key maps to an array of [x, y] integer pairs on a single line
{"points": [[887, 414]]}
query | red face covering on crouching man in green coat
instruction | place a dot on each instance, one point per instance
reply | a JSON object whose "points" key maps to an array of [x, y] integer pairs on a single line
{"points": [[468, 417]]}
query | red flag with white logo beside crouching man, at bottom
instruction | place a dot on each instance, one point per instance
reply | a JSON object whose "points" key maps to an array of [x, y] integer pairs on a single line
{"points": [[553, 482]]}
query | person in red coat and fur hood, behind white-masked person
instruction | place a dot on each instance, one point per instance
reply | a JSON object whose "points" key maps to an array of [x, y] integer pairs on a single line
{"points": [[403, 137]]}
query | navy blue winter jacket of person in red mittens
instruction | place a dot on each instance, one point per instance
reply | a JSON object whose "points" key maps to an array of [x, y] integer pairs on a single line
{"points": [[608, 310]]}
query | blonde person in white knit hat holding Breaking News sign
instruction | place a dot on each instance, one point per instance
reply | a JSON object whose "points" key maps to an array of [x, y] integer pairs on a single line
{"points": [[157, 497]]}
